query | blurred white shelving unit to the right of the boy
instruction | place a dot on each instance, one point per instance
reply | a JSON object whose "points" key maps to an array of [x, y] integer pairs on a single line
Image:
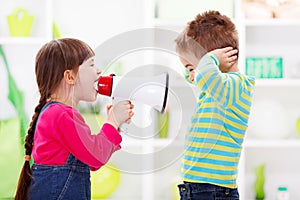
{"points": [[275, 107]]}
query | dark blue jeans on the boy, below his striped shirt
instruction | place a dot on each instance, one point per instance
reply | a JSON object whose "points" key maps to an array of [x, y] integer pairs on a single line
{"points": [[204, 191]]}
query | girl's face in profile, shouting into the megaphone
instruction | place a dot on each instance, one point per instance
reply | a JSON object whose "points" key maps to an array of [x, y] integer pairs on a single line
{"points": [[86, 77]]}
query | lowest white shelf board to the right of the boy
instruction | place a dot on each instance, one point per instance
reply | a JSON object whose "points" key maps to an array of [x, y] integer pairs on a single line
{"points": [[264, 143]]}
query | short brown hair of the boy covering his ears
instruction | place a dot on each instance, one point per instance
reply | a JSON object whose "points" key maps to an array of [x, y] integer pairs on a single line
{"points": [[208, 31]]}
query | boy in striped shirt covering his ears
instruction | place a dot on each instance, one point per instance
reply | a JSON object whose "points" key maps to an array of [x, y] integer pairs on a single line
{"points": [[213, 143]]}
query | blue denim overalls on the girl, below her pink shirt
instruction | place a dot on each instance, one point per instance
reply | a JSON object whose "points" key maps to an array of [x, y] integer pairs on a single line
{"points": [[68, 182]]}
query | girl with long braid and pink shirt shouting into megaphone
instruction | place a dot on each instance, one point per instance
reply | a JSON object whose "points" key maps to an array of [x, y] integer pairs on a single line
{"points": [[61, 143]]}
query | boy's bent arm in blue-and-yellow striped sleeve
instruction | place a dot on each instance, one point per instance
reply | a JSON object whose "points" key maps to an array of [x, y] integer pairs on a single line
{"points": [[222, 87]]}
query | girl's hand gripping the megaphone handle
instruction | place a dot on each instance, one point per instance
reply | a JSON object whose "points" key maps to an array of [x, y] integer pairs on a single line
{"points": [[120, 113]]}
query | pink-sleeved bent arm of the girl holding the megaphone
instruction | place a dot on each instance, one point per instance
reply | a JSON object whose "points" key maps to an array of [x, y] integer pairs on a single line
{"points": [[93, 150]]}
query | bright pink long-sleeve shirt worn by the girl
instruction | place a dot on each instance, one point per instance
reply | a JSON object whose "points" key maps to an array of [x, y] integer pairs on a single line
{"points": [[61, 130]]}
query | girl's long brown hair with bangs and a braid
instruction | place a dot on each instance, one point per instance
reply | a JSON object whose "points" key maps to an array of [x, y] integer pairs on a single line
{"points": [[51, 61]]}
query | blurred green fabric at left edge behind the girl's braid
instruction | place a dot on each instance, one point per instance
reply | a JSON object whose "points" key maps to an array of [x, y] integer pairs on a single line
{"points": [[12, 134]]}
